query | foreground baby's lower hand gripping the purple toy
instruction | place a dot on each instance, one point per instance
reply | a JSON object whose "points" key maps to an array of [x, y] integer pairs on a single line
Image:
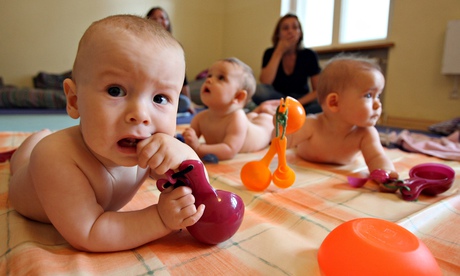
{"points": [[177, 208]]}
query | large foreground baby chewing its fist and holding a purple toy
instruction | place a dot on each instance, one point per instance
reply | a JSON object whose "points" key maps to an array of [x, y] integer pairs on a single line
{"points": [[125, 86]]}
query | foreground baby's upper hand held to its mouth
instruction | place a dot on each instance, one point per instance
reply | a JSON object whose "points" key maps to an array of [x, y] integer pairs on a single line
{"points": [[162, 152]]}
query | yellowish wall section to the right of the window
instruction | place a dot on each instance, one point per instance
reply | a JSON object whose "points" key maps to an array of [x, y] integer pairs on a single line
{"points": [[415, 86]]}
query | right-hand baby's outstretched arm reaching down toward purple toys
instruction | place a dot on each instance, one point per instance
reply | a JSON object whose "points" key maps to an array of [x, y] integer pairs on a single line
{"points": [[373, 153]]}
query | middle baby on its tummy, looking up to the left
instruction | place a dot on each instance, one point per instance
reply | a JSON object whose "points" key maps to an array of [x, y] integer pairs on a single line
{"points": [[226, 128]]}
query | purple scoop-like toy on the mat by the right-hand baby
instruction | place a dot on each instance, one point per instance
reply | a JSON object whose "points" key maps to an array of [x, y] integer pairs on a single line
{"points": [[428, 178]]}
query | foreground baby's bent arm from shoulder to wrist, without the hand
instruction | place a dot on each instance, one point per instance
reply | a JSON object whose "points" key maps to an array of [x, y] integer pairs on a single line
{"points": [[81, 199]]}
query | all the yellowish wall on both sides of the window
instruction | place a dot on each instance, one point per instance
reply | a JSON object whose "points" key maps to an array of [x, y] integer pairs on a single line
{"points": [[43, 36]]}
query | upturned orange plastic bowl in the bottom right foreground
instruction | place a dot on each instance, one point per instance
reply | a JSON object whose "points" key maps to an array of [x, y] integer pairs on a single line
{"points": [[369, 246]]}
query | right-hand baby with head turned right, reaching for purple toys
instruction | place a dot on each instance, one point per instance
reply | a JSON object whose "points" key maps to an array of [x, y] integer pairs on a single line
{"points": [[349, 90]]}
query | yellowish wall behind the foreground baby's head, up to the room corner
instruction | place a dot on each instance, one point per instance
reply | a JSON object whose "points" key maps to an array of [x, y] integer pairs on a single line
{"points": [[43, 35]]}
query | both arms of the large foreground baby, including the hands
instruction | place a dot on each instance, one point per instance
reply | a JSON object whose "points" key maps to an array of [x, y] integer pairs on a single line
{"points": [[79, 195]]}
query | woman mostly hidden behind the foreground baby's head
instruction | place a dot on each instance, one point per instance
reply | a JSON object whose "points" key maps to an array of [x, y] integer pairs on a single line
{"points": [[159, 15]]}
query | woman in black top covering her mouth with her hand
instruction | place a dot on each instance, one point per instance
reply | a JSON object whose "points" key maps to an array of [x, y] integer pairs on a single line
{"points": [[287, 68]]}
